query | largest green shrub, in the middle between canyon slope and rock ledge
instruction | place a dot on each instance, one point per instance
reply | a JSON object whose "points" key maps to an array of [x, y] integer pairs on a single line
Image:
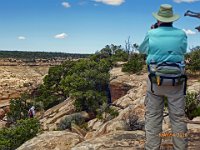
{"points": [[85, 80]]}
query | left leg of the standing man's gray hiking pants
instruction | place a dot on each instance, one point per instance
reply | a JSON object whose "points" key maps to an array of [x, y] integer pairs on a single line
{"points": [[153, 120]]}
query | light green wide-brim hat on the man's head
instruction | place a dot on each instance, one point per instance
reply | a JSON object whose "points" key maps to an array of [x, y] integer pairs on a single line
{"points": [[165, 14]]}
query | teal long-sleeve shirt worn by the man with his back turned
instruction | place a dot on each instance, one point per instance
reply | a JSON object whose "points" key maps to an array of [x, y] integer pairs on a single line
{"points": [[164, 44]]}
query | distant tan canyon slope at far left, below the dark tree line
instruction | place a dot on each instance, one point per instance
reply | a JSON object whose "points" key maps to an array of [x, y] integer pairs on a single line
{"points": [[18, 76]]}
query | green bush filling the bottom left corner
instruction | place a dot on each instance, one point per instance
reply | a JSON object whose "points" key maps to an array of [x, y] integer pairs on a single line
{"points": [[11, 138]]}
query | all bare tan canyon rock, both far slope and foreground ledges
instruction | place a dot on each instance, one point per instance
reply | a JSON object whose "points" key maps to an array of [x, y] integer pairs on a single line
{"points": [[128, 93]]}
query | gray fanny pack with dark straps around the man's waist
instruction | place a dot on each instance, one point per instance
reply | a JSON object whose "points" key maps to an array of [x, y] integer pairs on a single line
{"points": [[167, 74]]}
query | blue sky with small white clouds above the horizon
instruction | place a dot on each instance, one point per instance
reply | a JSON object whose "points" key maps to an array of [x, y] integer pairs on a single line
{"points": [[84, 26]]}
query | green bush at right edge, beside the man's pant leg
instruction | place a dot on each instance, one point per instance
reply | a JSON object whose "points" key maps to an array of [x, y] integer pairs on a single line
{"points": [[192, 108]]}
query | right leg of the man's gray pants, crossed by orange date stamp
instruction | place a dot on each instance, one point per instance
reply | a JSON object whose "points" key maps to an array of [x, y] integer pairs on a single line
{"points": [[176, 106]]}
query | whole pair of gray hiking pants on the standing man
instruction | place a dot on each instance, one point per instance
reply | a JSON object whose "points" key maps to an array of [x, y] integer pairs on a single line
{"points": [[154, 103]]}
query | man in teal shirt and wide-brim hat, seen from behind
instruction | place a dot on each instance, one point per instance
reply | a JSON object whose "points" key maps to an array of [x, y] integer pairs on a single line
{"points": [[165, 47]]}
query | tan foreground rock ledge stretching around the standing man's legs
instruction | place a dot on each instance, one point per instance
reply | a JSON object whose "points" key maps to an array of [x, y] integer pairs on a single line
{"points": [[108, 134]]}
